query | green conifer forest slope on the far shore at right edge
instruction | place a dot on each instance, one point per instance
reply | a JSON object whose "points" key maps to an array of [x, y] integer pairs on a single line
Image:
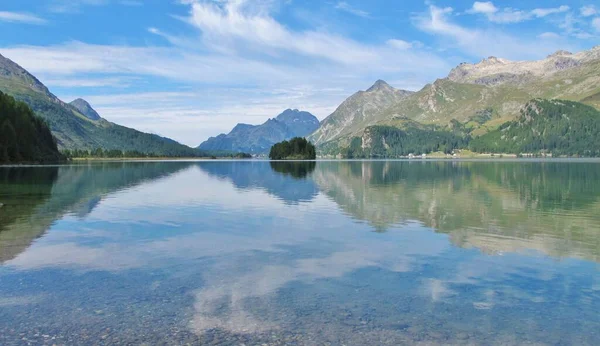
{"points": [[557, 127]]}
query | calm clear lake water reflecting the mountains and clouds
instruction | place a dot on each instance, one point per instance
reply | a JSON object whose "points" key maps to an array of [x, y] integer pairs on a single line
{"points": [[354, 253]]}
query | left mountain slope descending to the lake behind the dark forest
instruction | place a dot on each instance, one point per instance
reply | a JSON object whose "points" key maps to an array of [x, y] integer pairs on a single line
{"points": [[74, 129]]}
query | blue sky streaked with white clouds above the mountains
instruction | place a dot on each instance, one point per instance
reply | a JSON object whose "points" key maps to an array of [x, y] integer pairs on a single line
{"points": [[191, 69]]}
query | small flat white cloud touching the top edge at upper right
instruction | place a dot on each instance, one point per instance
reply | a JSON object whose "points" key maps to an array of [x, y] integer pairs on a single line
{"points": [[511, 15]]}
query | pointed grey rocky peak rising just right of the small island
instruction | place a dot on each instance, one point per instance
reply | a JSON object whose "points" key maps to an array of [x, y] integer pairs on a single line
{"points": [[358, 111]]}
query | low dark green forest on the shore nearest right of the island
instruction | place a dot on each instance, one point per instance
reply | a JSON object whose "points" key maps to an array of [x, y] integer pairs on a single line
{"points": [[390, 142]]}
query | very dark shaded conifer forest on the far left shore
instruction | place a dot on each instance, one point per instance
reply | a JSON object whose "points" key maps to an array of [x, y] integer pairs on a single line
{"points": [[24, 137]]}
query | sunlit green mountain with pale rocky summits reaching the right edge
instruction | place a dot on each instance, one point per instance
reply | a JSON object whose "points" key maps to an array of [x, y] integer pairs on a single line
{"points": [[501, 88]]}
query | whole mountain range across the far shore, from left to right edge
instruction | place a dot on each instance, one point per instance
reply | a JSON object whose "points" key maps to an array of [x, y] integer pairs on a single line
{"points": [[486, 106]]}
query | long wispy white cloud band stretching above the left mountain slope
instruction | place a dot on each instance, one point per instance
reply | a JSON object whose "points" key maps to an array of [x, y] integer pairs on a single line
{"points": [[79, 58]]}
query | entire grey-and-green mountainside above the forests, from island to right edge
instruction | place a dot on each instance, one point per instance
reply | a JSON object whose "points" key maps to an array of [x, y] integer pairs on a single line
{"points": [[480, 96]]}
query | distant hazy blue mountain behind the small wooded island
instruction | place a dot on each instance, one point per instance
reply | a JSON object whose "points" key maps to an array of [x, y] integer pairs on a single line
{"points": [[258, 139]]}
